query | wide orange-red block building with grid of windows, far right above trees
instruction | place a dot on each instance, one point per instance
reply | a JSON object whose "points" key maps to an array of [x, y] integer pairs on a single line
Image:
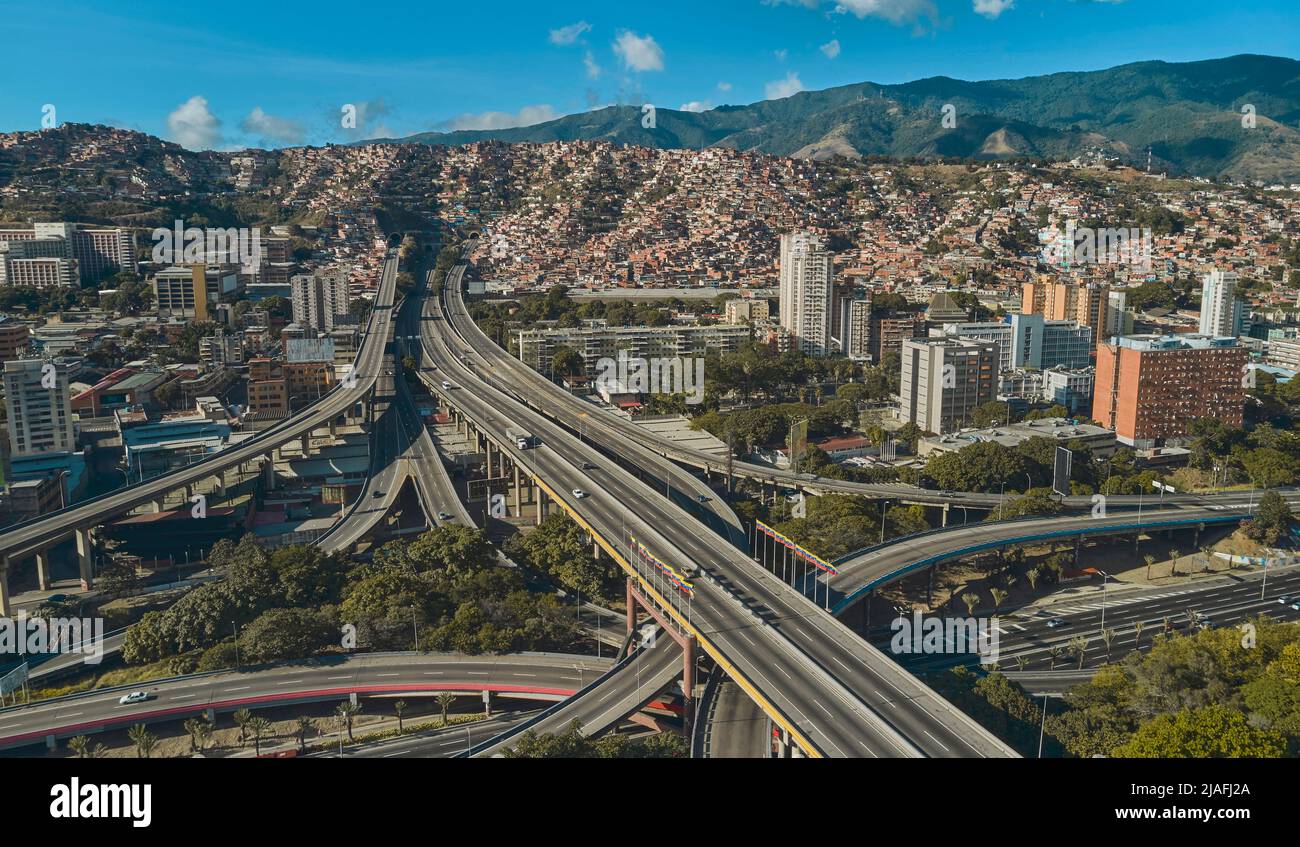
{"points": [[1150, 386]]}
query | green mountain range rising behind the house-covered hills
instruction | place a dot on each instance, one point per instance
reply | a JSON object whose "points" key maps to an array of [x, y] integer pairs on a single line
{"points": [[1236, 118]]}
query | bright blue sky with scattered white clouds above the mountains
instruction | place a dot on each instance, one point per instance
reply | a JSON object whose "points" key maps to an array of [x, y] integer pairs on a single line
{"points": [[272, 75]]}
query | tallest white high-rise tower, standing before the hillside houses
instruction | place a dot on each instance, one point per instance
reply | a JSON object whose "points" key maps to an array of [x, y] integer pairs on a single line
{"points": [[808, 277]]}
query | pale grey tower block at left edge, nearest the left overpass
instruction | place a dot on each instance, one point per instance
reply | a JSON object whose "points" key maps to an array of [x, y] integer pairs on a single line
{"points": [[40, 407]]}
